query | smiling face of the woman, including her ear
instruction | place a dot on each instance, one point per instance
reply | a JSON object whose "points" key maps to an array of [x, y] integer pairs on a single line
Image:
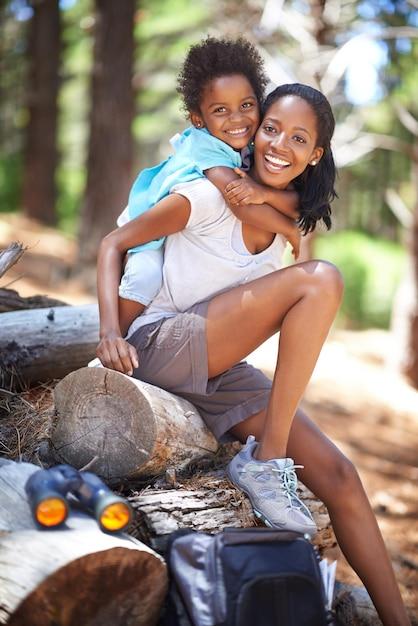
{"points": [[285, 143]]}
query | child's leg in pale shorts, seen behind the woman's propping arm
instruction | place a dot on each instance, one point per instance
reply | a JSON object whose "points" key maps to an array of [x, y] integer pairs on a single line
{"points": [[140, 283]]}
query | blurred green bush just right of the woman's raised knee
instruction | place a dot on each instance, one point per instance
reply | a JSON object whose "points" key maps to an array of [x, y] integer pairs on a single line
{"points": [[372, 270]]}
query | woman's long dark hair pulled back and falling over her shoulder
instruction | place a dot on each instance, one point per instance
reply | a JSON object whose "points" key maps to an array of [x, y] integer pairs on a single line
{"points": [[315, 185]]}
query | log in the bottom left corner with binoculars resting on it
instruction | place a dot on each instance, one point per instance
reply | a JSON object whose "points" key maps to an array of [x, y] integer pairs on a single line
{"points": [[74, 575]]}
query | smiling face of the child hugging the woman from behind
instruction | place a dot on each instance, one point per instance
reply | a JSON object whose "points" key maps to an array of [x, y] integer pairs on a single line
{"points": [[229, 110]]}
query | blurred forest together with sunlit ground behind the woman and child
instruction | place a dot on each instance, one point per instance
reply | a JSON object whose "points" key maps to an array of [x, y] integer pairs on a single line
{"points": [[88, 98]]}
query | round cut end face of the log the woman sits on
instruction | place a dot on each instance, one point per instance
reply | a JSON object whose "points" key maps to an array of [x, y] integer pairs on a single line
{"points": [[98, 414]]}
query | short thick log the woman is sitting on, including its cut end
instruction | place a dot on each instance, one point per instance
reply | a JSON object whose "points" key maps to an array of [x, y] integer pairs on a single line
{"points": [[124, 427]]}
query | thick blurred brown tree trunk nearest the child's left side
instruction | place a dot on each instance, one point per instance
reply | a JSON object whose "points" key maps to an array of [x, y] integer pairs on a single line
{"points": [[110, 147]]}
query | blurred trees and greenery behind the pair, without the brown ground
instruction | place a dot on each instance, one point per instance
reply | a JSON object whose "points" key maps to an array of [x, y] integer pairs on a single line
{"points": [[87, 98]]}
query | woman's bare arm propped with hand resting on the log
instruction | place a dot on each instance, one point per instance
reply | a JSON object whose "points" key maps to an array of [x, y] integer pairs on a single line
{"points": [[168, 216]]}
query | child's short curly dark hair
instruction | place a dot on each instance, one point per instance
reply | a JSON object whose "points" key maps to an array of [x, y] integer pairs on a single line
{"points": [[213, 58]]}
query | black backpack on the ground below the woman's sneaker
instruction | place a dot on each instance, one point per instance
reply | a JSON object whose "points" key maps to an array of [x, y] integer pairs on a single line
{"points": [[244, 577]]}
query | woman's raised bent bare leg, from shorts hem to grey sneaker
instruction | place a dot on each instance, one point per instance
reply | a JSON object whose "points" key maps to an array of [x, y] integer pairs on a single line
{"points": [[301, 301]]}
